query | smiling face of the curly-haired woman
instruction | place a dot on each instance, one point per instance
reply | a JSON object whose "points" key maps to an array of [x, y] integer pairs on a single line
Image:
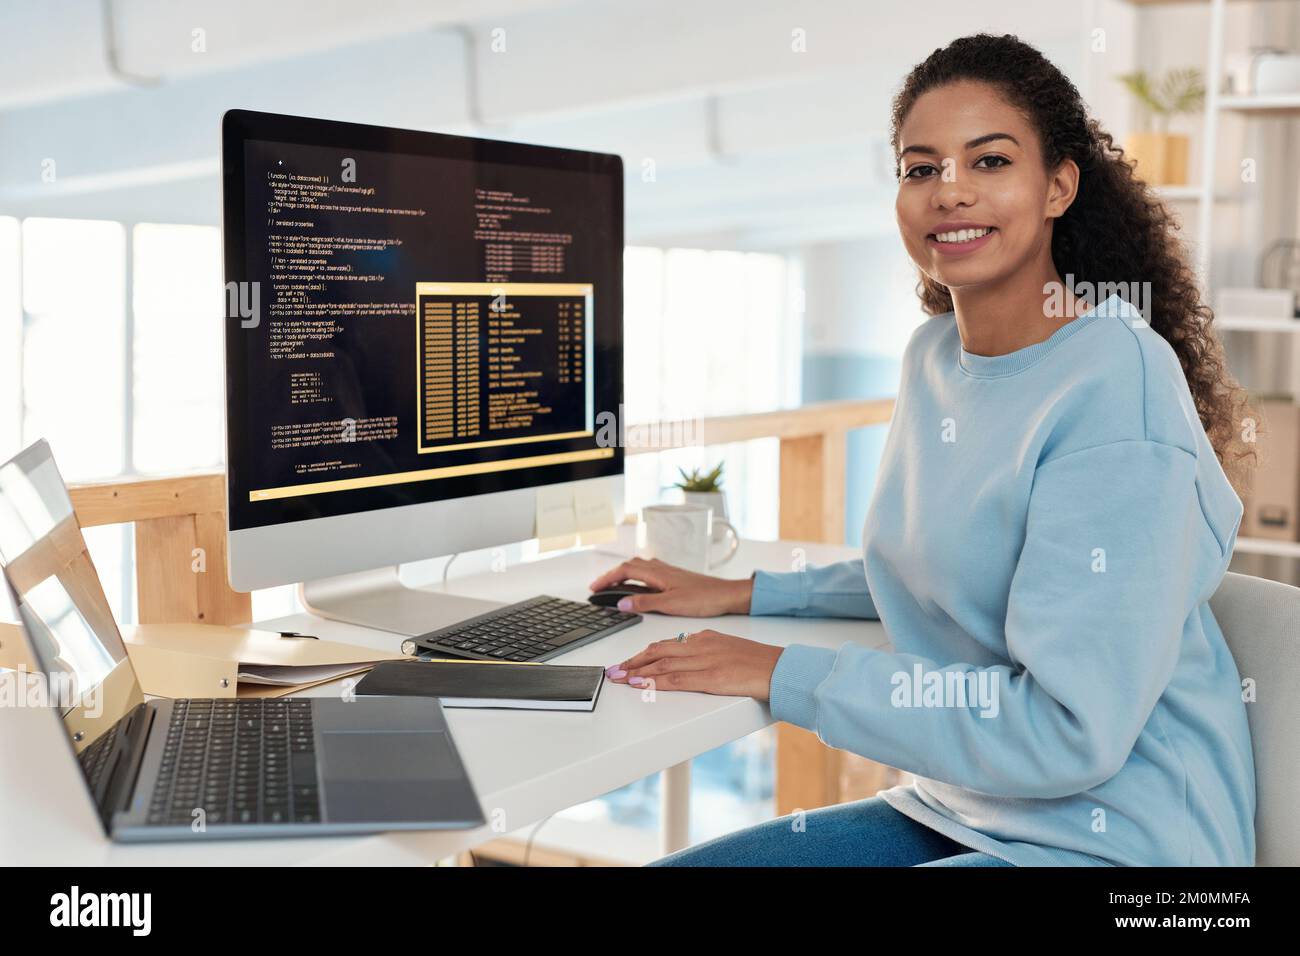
{"points": [[976, 204]]}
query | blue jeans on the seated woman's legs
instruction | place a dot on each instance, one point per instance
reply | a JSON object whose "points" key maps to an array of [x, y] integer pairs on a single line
{"points": [[866, 833]]}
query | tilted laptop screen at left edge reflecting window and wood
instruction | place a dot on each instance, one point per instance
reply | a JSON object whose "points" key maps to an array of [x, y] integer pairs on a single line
{"points": [[70, 626]]}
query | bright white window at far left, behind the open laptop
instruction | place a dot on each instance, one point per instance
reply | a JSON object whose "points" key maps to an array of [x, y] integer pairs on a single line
{"points": [[114, 392]]}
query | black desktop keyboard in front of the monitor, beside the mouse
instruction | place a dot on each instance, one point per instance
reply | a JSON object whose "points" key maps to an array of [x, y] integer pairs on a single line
{"points": [[534, 630]]}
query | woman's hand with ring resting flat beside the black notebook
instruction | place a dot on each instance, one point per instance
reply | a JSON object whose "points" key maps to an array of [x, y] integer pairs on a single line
{"points": [[707, 661]]}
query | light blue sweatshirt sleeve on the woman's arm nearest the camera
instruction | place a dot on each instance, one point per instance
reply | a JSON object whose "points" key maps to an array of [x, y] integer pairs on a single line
{"points": [[1117, 556]]}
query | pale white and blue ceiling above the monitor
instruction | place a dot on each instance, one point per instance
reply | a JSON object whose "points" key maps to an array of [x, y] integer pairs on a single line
{"points": [[748, 124]]}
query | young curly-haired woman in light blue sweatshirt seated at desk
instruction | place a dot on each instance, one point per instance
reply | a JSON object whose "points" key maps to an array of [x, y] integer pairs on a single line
{"points": [[1052, 516]]}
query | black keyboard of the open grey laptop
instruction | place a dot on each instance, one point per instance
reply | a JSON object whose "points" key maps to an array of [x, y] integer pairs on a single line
{"points": [[240, 762]]}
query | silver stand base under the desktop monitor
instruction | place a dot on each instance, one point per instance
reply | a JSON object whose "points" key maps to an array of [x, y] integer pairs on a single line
{"points": [[380, 600]]}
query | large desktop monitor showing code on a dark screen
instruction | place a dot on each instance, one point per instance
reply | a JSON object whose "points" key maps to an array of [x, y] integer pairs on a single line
{"points": [[422, 332]]}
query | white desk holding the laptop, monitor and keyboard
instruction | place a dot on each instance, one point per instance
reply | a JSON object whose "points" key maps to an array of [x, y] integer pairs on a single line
{"points": [[526, 767]]}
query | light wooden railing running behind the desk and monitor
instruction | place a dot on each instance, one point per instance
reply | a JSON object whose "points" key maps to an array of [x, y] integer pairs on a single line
{"points": [[181, 552]]}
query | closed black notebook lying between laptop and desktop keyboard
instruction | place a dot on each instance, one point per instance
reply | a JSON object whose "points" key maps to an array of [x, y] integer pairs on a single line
{"points": [[488, 685]]}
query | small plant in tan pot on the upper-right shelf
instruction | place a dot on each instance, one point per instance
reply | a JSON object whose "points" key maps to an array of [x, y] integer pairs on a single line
{"points": [[1162, 157]]}
